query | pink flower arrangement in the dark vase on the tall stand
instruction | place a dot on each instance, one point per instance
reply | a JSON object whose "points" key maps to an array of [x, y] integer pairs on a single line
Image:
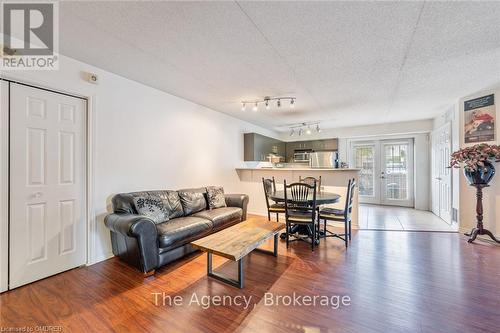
{"points": [[474, 157]]}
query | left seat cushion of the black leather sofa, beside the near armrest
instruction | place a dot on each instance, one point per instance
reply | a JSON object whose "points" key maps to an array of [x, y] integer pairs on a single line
{"points": [[182, 230]]}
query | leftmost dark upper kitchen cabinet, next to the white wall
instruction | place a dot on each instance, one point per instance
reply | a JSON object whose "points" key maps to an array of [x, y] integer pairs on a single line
{"points": [[259, 147]]}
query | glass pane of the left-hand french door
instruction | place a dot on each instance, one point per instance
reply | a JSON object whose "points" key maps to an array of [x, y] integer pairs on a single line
{"points": [[364, 159]]}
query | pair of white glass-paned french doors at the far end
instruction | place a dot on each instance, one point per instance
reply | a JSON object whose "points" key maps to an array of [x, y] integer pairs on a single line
{"points": [[386, 175]]}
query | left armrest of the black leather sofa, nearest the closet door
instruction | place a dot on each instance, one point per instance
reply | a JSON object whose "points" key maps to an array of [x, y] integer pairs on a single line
{"points": [[136, 239]]}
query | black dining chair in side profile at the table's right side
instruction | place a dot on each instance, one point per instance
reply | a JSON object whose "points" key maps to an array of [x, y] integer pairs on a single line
{"points": [[328, 213]]}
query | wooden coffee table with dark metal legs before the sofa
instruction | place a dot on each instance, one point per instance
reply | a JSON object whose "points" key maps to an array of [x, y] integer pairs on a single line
{"points": [[236, 242]]}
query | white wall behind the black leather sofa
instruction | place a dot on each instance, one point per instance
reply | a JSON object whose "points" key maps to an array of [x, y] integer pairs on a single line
{"points": [[147, 139]]}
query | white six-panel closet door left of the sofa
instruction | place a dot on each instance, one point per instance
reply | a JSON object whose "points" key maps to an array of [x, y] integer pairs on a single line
{"points": [[47, 184]]}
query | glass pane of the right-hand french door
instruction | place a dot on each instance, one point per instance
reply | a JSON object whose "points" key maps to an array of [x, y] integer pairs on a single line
{"points": [[396, 171]]}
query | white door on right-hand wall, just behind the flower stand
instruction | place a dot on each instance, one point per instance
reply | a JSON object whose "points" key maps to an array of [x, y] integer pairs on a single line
{"points": [[441, 173]]}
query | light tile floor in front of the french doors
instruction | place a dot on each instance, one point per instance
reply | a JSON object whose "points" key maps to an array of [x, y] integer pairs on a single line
{"points": [[401, 218]]}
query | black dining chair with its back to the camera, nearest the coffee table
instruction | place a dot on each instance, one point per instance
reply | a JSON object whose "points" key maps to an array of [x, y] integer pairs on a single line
{"points": [[300, 210]]}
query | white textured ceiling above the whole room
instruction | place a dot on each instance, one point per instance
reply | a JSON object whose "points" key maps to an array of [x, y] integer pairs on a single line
{"points": [[348, 63]]}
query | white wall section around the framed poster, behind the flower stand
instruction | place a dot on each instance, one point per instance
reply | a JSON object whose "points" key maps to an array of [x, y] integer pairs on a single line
{"points": [[491, 195]]}
